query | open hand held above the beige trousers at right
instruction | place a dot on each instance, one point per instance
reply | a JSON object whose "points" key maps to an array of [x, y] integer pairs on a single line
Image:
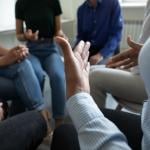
{"points": [[128, 58]]}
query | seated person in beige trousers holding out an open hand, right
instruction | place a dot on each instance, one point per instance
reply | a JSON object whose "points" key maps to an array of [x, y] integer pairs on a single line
{"points": [[121, 77]]}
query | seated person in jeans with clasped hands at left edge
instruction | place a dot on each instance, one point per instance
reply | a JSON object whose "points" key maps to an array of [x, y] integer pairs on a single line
{"points": [[15, 66]]}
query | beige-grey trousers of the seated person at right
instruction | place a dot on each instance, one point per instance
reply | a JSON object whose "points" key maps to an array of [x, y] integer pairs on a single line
{"points": [[122, 84]]}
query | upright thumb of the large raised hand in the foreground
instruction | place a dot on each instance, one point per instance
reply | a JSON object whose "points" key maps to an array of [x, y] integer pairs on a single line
{"points": [[66, 47]]}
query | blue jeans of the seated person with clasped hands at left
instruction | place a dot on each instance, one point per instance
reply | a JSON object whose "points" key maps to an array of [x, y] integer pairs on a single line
{"points": [[26, 83]]}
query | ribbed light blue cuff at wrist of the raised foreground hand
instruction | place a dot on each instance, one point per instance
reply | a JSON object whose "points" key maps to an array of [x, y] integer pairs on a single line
{"points": [[80, 107]]}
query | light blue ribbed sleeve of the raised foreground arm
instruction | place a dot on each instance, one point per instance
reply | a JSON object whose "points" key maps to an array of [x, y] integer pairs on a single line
{"points": [[94, 130]]}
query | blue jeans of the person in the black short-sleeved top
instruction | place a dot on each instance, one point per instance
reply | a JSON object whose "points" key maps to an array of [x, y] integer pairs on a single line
{"points": [[45, 56]]}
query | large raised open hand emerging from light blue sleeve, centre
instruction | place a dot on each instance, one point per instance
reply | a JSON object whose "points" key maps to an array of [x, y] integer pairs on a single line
{"points": [[76, 66]]}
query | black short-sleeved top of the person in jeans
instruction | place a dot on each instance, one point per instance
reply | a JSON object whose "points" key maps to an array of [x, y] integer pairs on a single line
{"points": [[39, 15]]}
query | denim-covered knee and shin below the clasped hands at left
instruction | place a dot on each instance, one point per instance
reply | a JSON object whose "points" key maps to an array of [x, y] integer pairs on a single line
{"points": [[28, 86]]}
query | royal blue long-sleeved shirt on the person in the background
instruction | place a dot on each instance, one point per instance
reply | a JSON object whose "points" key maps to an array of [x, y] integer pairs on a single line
{"points": [[102, 26]]}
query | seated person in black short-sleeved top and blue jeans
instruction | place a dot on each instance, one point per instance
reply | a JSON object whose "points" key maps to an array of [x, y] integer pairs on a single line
{"points": [[43, 23]]}
